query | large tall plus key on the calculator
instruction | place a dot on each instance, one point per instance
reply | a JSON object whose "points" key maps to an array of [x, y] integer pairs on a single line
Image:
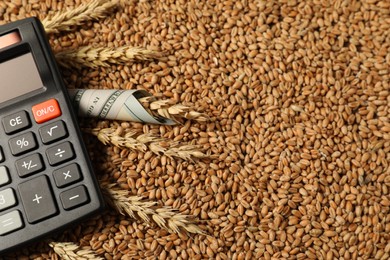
{"points": [[37, 199]]}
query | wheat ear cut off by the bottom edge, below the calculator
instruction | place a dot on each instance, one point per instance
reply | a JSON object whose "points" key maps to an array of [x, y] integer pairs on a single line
{"points": [[71, 251]]}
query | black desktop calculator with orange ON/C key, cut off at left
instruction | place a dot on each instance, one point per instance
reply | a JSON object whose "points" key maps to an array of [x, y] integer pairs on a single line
{"points": [[46, 177]]}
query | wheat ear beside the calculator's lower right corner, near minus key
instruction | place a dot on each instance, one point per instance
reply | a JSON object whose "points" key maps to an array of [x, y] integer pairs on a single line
{"points": [[137, 207]]}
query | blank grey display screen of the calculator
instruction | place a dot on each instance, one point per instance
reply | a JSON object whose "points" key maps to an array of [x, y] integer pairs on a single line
{"points": [[18, 76]]}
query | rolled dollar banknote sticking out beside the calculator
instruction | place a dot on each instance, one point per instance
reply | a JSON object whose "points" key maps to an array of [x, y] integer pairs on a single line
{"points": [[114, 105]]}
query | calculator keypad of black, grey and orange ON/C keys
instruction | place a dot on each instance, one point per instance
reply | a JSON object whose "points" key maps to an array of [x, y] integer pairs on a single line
{"points": [[36, 194]]}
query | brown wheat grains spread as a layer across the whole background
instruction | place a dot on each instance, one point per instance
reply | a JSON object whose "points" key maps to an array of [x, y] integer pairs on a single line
{"points": [[298, 139]]}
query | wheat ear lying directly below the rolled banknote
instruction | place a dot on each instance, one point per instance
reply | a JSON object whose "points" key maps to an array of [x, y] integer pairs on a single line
{"points": [[143, 142]]}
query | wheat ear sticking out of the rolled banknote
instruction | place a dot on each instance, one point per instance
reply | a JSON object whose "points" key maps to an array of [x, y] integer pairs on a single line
{"points": [[167, 109]]}
